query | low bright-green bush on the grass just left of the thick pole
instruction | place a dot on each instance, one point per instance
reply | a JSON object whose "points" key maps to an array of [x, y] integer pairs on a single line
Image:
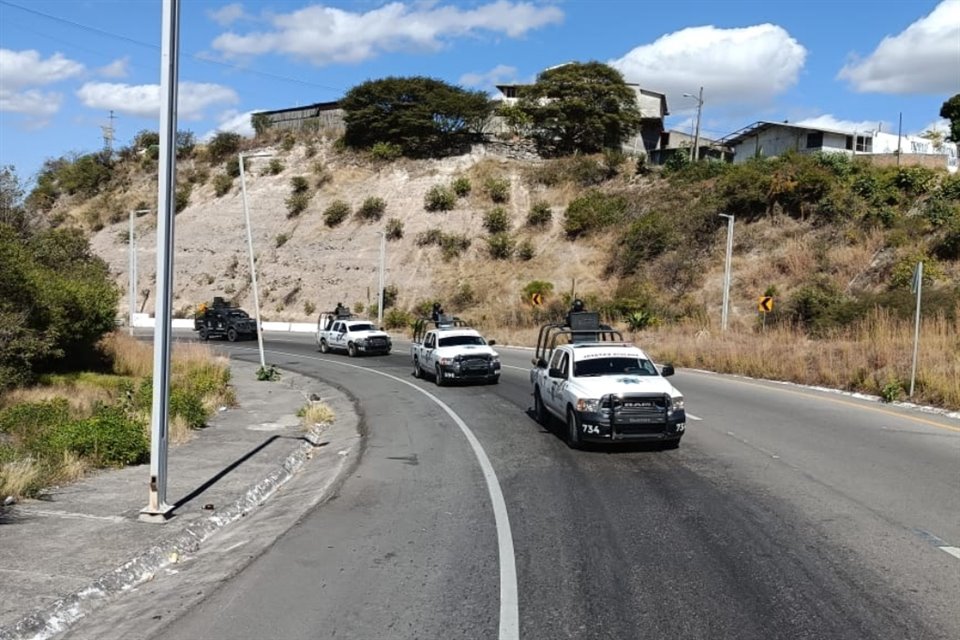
{"points": [[108, 438]]}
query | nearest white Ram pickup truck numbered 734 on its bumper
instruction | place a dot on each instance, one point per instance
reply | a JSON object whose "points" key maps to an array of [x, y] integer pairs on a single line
{"points": [[604, 389]]}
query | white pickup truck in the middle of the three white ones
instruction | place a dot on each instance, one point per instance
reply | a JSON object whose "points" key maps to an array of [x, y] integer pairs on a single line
{"points": [[453, 351]]}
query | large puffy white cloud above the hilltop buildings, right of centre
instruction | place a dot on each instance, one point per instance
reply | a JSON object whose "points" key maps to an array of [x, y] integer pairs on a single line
{"points": [[734, 66]]}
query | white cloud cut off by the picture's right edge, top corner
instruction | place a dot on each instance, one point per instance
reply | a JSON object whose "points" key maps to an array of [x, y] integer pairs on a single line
{"points": [[924, 58]]}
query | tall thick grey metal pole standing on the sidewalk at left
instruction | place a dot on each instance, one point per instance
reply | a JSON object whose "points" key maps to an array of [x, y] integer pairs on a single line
{"points": [[157, 509]]}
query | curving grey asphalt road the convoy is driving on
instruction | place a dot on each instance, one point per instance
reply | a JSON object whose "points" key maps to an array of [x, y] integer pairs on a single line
{"points": [[786, 513]]}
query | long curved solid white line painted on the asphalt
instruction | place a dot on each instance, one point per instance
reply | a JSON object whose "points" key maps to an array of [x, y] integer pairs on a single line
{"points": [[509, 602]]}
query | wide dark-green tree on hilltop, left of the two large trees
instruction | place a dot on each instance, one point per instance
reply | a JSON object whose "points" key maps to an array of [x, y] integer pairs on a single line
{"points": [[424, 117]]}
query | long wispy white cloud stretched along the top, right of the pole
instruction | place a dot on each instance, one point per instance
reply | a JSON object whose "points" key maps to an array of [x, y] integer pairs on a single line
{"points": [[325, 35]]}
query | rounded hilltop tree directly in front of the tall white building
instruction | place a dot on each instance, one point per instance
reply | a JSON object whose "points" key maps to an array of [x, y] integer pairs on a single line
{"points": [[580, 107]]}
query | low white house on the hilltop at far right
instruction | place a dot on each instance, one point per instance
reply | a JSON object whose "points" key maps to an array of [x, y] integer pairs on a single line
{"points": [[771, 139]]}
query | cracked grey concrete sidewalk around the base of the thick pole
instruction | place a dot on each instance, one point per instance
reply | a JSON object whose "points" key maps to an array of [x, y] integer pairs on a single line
{"points": [[64, 556]]}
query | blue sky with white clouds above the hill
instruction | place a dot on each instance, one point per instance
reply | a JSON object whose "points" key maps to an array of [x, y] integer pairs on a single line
{"points": [[65, 64]]}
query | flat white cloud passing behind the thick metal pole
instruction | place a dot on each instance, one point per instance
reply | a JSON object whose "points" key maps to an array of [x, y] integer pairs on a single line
{"points": [[144, 100]]}
